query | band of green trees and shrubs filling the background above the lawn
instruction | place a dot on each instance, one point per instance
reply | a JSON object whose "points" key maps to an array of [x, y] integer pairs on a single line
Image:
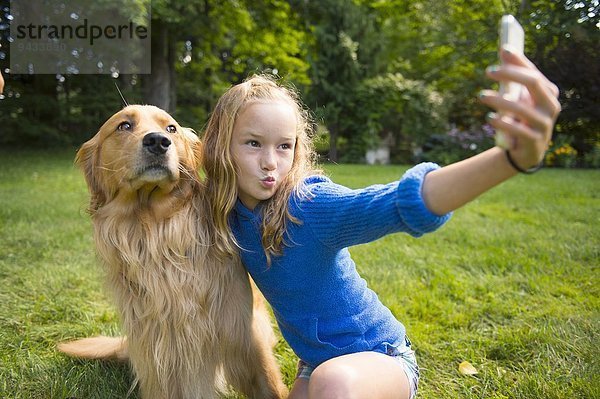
{"points": [[333, 51]]}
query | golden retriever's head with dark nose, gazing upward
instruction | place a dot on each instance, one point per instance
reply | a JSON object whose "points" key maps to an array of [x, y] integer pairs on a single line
{"points": [[139, 151]]}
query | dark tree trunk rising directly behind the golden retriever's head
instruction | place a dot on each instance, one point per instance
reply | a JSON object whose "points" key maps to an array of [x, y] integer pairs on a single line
{"points": [[159, 86]]}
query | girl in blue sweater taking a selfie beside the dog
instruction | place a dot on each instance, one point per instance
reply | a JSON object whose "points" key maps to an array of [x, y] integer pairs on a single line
{"points": [[292, 226]]}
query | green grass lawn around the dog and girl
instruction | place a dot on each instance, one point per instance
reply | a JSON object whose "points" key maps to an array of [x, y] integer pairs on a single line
{"points": [[510, 285]]}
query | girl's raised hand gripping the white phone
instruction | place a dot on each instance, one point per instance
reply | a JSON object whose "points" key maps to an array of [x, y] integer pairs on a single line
{"points": [[527, 122]]}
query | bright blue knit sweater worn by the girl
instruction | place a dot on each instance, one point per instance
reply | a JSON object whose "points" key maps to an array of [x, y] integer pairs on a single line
{"points": [[323, 307]]}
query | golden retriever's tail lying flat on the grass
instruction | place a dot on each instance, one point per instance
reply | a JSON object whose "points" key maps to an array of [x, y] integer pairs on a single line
{"points": [[101, 347]]}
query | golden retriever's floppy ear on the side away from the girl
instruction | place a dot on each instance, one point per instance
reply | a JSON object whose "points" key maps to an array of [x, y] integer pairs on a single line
{"points": [[87, 159]]}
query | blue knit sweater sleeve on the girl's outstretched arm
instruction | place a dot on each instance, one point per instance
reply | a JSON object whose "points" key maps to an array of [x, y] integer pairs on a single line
{"points": [[341, 217]]}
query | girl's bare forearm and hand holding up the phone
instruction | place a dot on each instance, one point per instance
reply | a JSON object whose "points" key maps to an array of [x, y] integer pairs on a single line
{"points": [[528, 131]]}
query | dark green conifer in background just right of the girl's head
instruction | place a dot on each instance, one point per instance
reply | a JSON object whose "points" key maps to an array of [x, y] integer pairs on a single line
{"points": [[343, 54]]}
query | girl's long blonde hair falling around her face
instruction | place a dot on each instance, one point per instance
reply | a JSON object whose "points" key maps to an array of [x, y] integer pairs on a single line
{"points": [[221, 183]]}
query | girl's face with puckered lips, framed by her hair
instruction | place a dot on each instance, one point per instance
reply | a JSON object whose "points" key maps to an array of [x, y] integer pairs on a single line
{"points": [[262, 147]]}
